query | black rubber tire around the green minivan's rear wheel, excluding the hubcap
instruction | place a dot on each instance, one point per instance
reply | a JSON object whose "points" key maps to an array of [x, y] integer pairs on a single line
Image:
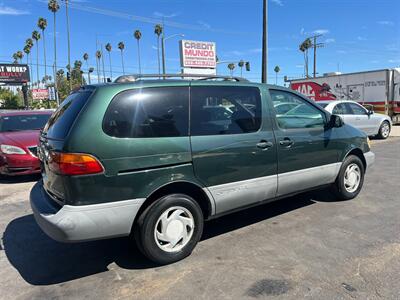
{"points": [[144, 229]]}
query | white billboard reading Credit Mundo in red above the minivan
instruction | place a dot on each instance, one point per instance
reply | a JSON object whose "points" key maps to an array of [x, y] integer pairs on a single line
{"points": [[197, 54]]}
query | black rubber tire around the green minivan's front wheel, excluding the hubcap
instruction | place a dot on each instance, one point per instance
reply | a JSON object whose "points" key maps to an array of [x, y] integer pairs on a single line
{"points": [[339, 188]]}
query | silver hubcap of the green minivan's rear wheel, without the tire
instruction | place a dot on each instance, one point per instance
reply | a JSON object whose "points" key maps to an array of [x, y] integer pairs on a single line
{"points": [[174, 229]]}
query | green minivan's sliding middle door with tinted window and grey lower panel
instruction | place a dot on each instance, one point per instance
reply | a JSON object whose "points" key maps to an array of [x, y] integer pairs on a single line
{"points": [[234, 152]]}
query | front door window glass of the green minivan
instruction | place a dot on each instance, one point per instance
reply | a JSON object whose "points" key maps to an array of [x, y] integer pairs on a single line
{"points": [[301, 114]]}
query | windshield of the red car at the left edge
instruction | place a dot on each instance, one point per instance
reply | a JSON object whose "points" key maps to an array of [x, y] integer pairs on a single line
{"points": [[23, 122]]}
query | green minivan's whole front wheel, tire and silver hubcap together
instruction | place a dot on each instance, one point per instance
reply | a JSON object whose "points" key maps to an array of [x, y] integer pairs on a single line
{"points": [[350, 180]]}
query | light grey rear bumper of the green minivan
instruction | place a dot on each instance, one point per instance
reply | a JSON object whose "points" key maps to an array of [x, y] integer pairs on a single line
{"points": [[82, 223]]}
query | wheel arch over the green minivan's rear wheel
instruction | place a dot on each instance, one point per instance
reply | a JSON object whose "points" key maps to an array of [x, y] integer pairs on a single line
{"points": [[191, 189]]}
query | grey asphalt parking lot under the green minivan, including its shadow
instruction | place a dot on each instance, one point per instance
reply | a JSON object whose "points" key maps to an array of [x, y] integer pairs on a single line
{"points": [[308, 246]]}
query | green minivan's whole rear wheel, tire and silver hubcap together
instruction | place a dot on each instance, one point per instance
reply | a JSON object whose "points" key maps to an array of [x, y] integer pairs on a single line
{"points": [[169, 229]]}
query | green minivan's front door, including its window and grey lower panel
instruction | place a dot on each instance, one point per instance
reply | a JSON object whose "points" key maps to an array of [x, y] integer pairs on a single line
{"points": [[307, 153]]}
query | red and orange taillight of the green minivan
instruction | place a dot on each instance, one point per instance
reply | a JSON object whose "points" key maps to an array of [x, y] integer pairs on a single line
{"points": [[74, 164]]}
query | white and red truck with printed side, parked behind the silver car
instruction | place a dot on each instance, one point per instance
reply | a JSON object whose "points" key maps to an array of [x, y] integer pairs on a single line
{"points": [[379, 89]]}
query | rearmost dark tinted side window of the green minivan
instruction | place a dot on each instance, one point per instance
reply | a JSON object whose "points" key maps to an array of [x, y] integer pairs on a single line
{"points": [[148, 112]]}
